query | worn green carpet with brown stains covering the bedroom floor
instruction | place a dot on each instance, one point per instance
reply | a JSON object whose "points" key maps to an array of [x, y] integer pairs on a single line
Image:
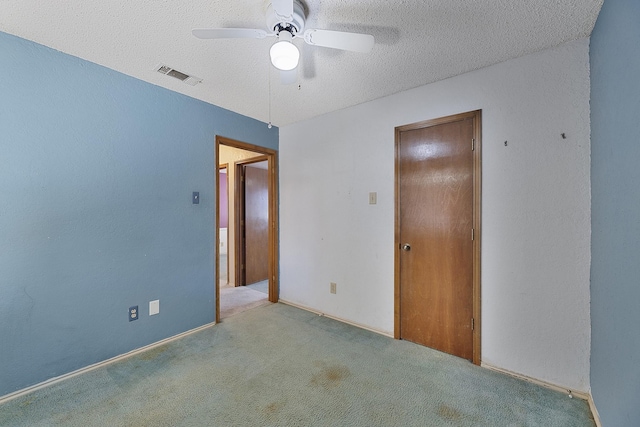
{"points": [[277, 365]]}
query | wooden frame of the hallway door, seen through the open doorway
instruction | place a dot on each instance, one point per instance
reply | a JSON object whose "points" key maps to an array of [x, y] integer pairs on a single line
{"points": [[239, 208]]}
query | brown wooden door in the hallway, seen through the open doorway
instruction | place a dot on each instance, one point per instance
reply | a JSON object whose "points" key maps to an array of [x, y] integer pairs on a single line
{"points": [[256, 224]]}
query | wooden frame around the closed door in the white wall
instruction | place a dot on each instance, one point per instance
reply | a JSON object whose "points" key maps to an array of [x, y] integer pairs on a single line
{"points": [[477, 211]]}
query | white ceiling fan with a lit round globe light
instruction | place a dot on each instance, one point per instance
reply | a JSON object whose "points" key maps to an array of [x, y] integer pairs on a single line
{"points": [[285, 21]]}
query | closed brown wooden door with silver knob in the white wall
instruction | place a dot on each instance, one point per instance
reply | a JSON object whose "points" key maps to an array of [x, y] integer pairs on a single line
{"points": [[436, 217]]}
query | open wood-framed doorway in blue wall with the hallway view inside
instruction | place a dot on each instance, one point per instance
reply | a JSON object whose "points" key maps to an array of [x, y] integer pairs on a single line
{"points": [[243, 165]]}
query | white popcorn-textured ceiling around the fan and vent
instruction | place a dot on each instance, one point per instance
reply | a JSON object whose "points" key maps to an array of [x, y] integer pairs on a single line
{"points": [[417, 42]]}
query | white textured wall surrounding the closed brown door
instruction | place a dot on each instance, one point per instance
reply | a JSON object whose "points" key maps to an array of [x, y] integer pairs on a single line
{"points": [[535, 211]]}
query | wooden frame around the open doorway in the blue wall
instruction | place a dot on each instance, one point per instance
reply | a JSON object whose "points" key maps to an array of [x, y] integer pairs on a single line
{"points": [[272, 159]]}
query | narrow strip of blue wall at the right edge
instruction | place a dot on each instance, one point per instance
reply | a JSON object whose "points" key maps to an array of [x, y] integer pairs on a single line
{"points": [[615, 190]]}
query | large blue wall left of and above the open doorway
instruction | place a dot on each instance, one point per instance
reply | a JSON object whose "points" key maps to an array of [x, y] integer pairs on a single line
{"points": [[96, 175]]}
